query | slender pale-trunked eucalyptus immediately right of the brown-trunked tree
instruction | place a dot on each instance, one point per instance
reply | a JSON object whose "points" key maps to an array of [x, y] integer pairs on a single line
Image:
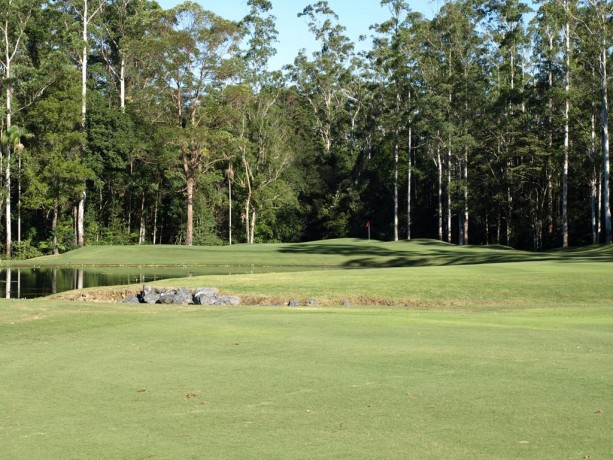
{"points": [[265, 149]]}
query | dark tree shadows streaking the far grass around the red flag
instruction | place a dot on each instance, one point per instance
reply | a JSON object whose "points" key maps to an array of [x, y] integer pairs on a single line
{"points": [[421, 253]]}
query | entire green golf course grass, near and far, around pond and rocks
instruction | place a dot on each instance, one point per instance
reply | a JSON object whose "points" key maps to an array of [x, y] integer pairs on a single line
{"points": [[413, 349]]}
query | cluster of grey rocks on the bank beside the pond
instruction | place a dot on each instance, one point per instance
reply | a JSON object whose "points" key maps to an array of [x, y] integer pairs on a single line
{"points": [[182, 296]]}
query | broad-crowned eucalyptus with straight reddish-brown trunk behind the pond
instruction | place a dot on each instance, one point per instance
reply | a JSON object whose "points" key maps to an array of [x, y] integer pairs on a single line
{"points": [[194, 59]]}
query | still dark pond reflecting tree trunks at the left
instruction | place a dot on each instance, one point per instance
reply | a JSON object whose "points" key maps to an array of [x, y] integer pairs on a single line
{"points": [[29, 283]]}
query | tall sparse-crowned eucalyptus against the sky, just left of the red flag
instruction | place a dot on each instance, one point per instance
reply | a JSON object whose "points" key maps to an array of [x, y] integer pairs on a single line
{"points": [[324, 82]]}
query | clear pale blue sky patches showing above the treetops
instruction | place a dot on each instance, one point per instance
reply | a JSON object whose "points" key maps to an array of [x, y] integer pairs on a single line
{"points": [[356, 15]]}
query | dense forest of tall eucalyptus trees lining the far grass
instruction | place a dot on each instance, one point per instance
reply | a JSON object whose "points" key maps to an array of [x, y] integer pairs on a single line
{"points": [[125, 123]]}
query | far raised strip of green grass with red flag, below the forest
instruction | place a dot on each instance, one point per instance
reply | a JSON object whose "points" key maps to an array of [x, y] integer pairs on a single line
{"points": [[340, 253]]}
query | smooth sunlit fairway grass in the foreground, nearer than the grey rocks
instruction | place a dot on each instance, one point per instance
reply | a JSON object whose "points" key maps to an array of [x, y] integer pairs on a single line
{"points": [[110, 381]]}
